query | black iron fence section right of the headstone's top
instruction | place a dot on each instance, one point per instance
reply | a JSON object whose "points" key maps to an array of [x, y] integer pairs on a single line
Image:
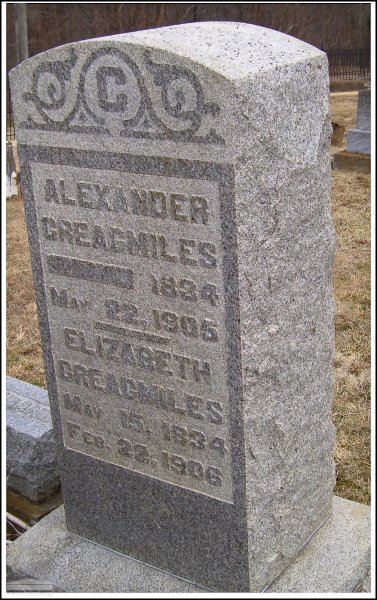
{"points": [[349, 64]]}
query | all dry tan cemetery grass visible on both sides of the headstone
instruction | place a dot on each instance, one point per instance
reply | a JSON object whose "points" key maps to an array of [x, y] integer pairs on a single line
{"points": [[351, 209]]}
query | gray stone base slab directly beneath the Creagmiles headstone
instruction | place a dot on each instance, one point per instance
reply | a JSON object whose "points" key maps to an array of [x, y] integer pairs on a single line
{"points": [[336, 559]]}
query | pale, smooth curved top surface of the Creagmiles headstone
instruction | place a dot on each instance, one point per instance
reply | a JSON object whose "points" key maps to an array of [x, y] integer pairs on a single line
{"points": [[233, 50]]}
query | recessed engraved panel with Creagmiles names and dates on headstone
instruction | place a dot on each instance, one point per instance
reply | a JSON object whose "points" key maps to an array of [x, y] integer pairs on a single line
{"points": [[133, 273]]}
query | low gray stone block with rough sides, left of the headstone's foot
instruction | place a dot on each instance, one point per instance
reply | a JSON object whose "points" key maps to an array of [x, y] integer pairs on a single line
{"points": [[32, 469]]}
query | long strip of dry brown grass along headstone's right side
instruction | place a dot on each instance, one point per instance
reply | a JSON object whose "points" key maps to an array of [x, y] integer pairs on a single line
{"points": [[351, 202]]}
